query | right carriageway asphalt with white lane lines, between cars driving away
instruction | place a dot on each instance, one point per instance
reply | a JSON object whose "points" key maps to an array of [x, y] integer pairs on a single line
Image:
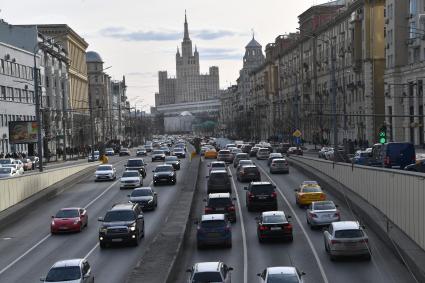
{"points": [[248, 257]]}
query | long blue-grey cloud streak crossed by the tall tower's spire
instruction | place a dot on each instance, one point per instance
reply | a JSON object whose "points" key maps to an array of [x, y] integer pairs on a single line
{"points": [[164, 35]]}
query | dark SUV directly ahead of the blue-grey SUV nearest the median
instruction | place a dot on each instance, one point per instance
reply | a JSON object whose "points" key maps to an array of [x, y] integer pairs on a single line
{"points": [[221, 203]]}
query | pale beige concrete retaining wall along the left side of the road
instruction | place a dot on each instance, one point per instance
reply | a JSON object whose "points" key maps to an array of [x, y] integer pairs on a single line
{"points": [[15, 190]]}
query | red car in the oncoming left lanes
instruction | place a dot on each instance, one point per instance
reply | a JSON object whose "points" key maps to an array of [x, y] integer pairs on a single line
{"points": [[72, 219]]}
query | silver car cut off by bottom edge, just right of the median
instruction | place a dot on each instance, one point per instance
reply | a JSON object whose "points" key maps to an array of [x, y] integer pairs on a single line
{"points": [[203, 272]]}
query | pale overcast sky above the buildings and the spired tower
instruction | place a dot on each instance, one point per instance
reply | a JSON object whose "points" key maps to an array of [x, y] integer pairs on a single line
{"points": [[140, 37]]}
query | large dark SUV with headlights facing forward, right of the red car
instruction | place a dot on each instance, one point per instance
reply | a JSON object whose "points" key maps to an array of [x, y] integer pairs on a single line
{"points": [[123, 223]]}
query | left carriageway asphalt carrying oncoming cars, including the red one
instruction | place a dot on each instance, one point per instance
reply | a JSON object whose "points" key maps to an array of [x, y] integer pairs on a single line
{"points": [[28, 250]]}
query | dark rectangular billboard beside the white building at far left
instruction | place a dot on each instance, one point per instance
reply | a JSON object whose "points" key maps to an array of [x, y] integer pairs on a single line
{"points": [[23, 132]]}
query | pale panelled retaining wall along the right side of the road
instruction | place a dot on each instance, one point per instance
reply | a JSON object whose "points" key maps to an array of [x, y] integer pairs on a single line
{"points": [[399, 195]]}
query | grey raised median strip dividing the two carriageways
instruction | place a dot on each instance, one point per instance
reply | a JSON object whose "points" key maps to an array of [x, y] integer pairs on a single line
{"points": [[159, 262]]}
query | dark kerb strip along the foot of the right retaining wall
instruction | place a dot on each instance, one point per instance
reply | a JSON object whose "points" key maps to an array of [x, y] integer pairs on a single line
{"points": [[406, 250]]}
